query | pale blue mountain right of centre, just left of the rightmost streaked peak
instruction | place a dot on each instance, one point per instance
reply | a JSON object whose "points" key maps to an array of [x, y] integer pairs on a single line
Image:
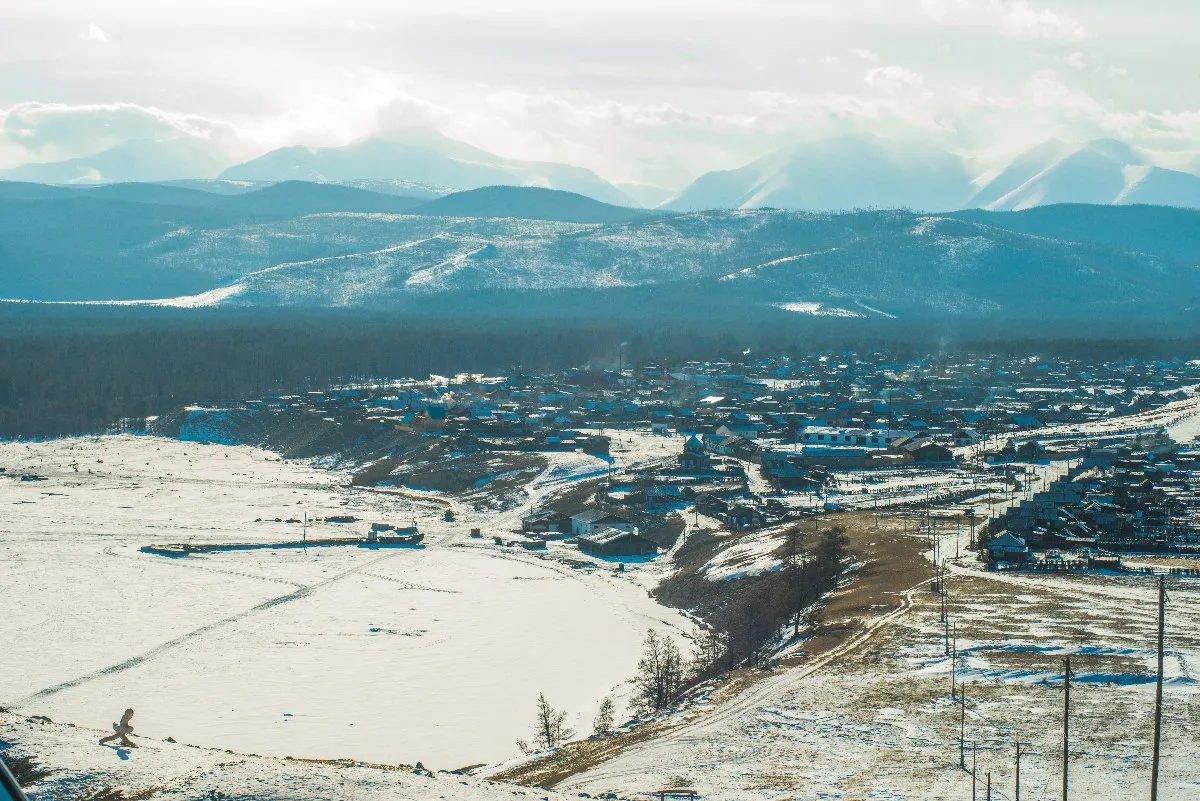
{"points": [[836, 176]]}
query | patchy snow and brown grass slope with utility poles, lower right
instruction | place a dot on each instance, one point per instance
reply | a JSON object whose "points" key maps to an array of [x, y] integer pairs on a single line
{"points": [[879, 724]]}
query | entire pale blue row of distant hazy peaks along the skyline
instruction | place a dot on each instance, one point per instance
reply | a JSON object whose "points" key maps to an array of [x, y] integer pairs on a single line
{"points": [[845, 173]]}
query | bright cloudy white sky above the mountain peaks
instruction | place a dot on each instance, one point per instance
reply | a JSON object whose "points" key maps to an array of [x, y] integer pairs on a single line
{"points": [[653, 92]]}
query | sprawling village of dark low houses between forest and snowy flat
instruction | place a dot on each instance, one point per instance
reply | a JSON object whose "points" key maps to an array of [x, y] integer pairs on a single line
{"points": [[766, 442]]}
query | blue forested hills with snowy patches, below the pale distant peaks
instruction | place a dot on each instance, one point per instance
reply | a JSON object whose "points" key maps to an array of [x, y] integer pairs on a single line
{"points": [[514, 251]]}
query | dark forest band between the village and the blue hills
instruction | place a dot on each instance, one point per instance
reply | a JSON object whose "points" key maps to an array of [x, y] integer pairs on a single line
{"points": [[75, 371]]}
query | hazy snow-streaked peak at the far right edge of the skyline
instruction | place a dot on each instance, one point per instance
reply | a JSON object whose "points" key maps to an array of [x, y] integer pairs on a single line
{"points": [[1103, 172]]}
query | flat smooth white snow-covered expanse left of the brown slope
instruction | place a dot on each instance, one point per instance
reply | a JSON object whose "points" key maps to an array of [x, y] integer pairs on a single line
{"points": [[392, 655]]}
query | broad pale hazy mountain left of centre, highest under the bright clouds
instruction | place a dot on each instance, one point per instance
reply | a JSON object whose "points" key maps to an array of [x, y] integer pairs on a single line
{"points": [[424, 158]]}
